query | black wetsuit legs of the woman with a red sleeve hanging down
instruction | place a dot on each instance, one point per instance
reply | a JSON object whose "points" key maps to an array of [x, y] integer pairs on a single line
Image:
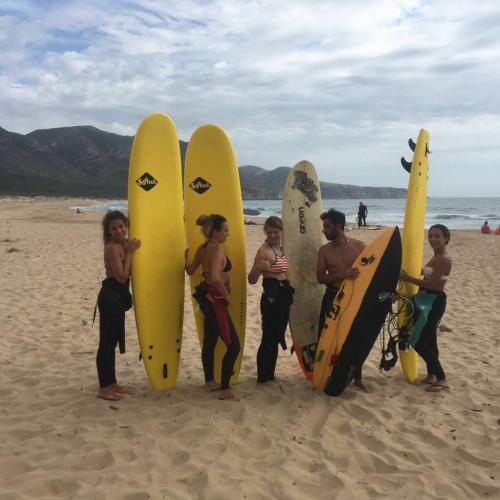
{"points": [[211, 334]]}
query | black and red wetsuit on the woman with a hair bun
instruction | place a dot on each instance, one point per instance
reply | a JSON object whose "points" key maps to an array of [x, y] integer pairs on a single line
{"points": [[217, 323]]}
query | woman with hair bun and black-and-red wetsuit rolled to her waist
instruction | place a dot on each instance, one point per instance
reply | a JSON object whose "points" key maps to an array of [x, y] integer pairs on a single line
{"points": [[213, 295]]}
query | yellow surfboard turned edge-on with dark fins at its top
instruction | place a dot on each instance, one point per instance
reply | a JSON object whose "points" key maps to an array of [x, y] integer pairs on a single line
{"points": [[413, 237]]}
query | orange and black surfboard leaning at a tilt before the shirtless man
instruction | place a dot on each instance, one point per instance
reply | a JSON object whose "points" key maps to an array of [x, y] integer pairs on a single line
{"points": [[358, 311]]}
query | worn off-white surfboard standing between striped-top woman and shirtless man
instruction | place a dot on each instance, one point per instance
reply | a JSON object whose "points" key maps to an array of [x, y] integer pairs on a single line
{"points": [[302, 238]]}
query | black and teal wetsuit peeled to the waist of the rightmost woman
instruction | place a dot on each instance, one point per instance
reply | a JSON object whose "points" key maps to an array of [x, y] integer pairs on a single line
{"points": [[426, 345]]}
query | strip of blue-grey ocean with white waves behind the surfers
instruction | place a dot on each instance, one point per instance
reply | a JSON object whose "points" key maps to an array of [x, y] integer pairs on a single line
{"points": [[456, 213]]}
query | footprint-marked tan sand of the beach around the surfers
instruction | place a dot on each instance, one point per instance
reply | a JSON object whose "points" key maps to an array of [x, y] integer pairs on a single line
{"points": [[281, 441]]}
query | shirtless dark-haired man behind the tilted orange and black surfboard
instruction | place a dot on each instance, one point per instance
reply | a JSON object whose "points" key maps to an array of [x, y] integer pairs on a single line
{"points": [[335, 260]]}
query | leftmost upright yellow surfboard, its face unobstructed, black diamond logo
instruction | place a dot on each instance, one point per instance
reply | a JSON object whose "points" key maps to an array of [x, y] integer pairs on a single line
{"points": [[156, 218]]}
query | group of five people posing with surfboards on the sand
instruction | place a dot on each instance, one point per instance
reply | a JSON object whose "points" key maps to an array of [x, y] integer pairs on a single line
{"points": [[334, 264]]}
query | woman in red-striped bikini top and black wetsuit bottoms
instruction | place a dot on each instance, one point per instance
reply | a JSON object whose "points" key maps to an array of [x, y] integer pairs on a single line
{"points": [[276, 299]]}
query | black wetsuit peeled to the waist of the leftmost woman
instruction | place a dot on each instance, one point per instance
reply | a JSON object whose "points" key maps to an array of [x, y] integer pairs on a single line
{"points": [[113, 300]]}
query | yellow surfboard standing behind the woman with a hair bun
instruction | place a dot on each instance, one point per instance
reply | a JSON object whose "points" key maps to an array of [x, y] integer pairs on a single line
{"points": [[212, 186]]}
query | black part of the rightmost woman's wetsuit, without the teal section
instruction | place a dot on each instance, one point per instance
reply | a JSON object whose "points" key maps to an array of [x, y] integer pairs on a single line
{"points": [[427, 344]]}
